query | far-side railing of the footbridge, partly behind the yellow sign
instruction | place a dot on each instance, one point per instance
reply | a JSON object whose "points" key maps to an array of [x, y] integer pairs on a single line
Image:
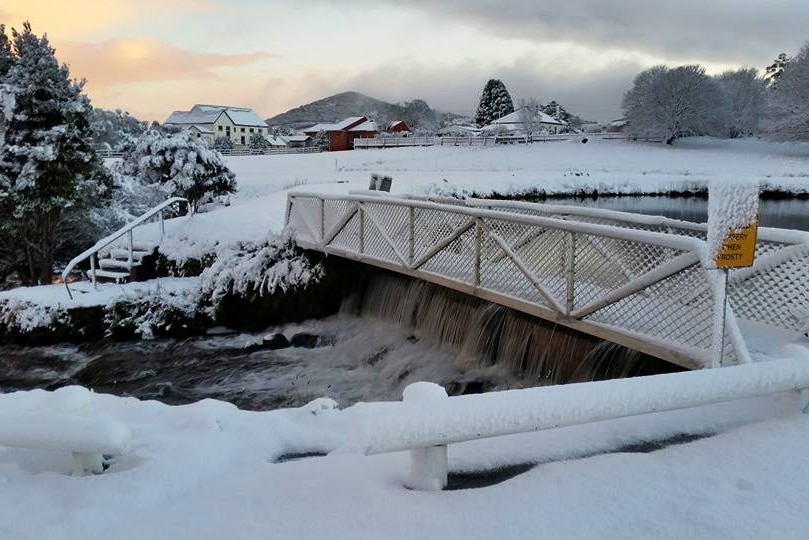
{"points": [[773, 292]]}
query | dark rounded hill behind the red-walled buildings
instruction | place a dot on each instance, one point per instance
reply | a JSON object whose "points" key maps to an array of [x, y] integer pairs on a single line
{"points": [[417, 114]]}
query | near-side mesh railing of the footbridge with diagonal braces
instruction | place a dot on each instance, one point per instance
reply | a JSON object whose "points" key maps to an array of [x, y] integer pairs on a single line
{"points": [[647, 290]]}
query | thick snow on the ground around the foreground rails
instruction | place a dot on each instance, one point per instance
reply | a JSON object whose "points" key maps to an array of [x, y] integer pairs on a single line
{"points": [[208, 470]]}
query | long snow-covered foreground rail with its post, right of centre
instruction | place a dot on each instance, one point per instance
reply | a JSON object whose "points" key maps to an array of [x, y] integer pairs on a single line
{"points": [[427, 421]]}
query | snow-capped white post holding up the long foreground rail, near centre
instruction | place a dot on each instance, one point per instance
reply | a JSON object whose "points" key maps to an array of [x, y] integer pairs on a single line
{"points": [[428, 466]]}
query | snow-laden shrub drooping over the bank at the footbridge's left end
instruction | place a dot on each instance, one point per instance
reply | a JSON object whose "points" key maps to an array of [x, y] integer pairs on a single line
{"points": [[253, 268]]}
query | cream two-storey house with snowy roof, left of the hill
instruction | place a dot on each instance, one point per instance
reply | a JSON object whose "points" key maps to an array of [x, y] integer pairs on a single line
{"points": [[207, 122]]}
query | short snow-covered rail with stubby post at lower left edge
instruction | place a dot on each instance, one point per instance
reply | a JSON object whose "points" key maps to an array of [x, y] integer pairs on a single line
{"points": [[86, 437]]}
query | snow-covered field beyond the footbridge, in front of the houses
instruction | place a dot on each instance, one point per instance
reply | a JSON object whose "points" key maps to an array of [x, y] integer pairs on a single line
{"points": [[557, 167]]}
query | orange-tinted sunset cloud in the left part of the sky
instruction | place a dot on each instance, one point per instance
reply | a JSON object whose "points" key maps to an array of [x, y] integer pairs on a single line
{"points": [[121, 61]]}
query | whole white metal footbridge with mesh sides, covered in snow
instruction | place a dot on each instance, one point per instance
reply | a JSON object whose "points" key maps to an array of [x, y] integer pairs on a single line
{"points": [[639, 281]]}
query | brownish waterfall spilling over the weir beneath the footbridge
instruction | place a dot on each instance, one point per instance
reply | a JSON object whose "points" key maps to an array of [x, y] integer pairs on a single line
{"points": [[482, 334]]}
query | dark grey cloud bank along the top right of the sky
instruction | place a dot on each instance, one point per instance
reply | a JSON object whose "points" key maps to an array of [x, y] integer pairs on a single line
{"points": [[721, 31]]}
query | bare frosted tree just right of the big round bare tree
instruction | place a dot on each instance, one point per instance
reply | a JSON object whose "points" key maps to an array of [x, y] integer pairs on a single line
{"points": [[744, 94]]}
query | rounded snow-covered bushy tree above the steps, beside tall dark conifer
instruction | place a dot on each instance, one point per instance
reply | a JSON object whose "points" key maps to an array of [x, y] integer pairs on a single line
{"points": [[181, 164]]}
